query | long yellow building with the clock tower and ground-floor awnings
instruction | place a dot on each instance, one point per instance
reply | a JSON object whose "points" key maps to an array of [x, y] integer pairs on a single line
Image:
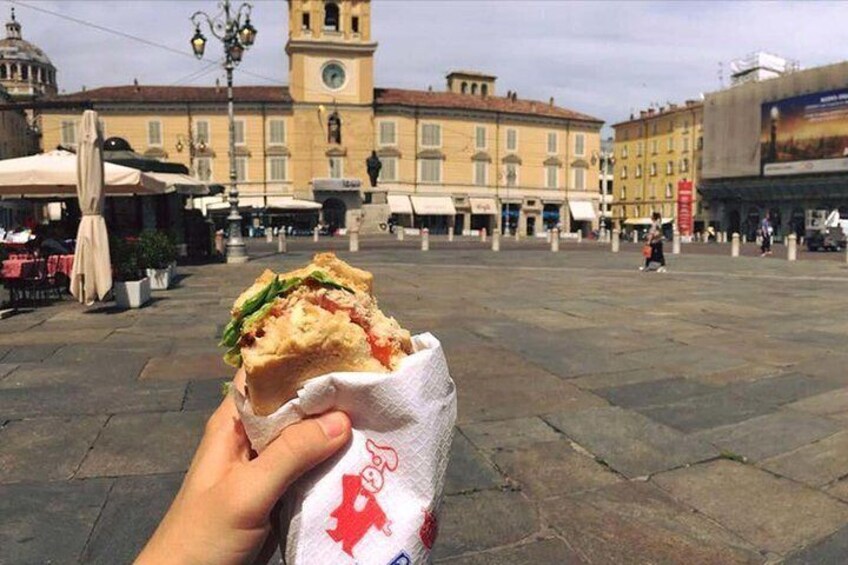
{"points": [[464, 157]]}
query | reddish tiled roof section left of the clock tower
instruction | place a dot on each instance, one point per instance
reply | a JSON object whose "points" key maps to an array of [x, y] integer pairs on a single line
{"points": [[171, 94]]}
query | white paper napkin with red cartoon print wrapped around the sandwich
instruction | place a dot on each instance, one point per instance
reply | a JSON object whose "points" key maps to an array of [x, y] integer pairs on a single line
{"points": [[376, 501]]}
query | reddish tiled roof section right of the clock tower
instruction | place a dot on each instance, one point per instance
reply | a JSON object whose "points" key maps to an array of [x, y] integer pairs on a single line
{"points": [[456, 101]]}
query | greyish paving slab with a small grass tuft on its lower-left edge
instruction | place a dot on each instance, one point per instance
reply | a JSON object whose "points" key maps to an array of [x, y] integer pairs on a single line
{"points": [[628, 442]]}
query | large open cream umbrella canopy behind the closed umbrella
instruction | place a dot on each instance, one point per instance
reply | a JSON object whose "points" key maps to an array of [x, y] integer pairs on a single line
{"points": [[55, 174]]}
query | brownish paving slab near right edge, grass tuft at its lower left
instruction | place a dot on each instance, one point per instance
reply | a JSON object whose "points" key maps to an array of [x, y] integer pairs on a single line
{"points": [[769, 435]]}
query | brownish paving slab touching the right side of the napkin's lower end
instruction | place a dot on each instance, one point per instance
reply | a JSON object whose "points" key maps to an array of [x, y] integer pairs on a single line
{"points": [[483, 520]]}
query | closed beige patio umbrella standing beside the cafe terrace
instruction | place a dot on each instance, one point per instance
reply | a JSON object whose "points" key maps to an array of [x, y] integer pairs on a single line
{"points": [[91, 277]]}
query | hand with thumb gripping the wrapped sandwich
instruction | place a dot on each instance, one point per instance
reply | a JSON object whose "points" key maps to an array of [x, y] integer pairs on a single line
{"points": [[221, 514]]}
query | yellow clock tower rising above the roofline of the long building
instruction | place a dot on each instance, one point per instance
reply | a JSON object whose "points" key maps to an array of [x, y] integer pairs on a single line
{"points": [[331, 55]]}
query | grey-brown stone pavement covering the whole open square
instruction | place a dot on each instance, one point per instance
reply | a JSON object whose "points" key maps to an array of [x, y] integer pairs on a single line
{"points": [[605, 415]]}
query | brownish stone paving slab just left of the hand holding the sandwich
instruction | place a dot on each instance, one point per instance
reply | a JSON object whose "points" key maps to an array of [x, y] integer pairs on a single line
{"points": [[131, 444]]}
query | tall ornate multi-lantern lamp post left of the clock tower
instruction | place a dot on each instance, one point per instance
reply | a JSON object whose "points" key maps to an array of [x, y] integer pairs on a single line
{"points": [[232, 27]]}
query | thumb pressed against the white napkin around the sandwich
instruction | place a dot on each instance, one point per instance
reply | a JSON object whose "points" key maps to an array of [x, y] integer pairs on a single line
{"points": [[299, 448]]}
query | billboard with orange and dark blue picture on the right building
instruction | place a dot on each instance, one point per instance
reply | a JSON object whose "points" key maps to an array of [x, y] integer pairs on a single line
{"points": [[805, 134]]}
